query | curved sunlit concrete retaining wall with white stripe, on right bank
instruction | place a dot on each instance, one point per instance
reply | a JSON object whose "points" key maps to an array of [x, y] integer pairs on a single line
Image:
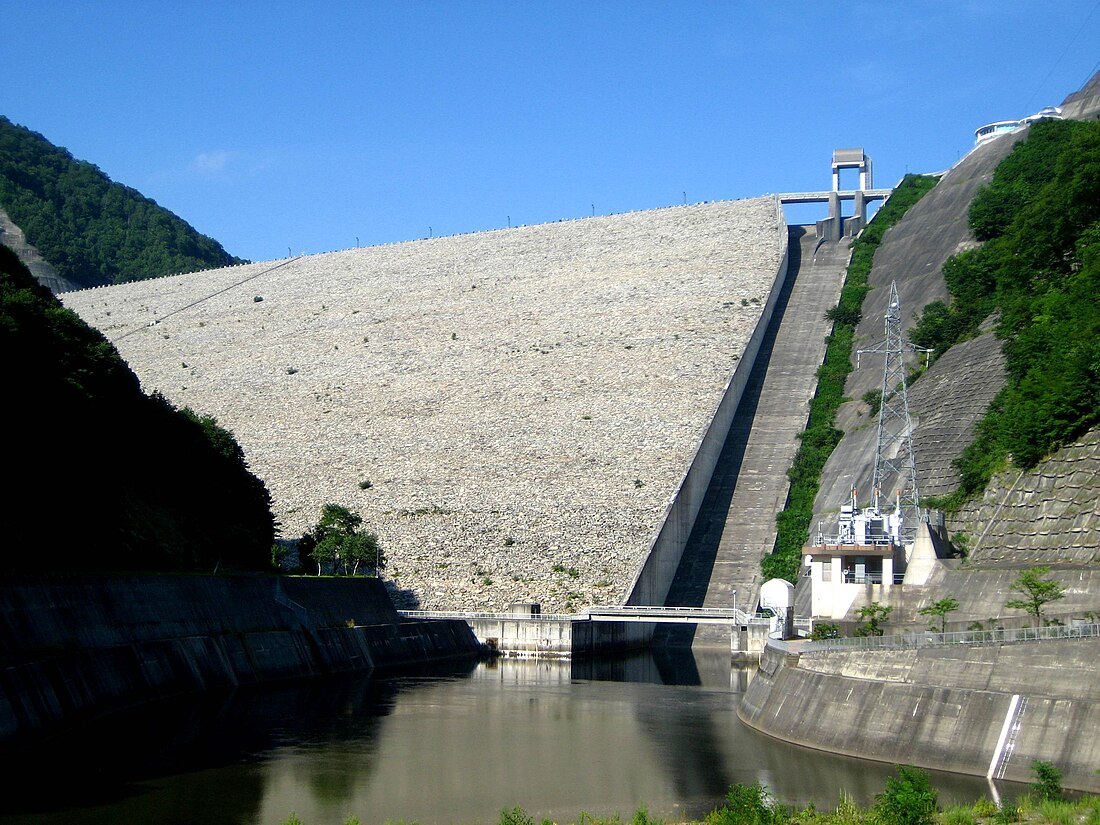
{"points": [[897, 707]]}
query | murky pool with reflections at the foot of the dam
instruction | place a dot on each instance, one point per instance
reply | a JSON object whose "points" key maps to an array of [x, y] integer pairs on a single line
{"points": [[554, 738]]}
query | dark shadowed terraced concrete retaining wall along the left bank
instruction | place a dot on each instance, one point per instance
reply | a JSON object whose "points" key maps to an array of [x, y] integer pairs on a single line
{"points": [[80, 646]]}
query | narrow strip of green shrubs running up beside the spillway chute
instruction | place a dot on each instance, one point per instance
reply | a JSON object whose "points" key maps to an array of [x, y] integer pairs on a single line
{"points": [[821, 436]]}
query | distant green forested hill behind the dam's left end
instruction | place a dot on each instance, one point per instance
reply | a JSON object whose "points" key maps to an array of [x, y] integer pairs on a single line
{"points": [[93, 230]]}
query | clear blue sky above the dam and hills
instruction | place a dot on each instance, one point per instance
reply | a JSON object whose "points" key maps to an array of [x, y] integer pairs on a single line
{"points": [[311, 126]]}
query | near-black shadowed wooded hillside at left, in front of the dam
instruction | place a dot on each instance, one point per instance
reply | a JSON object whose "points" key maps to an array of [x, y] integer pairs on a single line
{"points": [[102, 477]]}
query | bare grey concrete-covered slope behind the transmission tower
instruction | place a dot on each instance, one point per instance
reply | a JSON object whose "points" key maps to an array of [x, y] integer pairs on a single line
{"points": [[948, 402]]}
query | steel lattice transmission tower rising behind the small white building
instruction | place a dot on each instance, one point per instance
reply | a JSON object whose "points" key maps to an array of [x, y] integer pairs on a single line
{"points": [[894, 455]]}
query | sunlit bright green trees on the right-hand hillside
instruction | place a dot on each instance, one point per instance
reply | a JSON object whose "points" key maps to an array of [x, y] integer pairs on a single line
{"points": [[1039, 273]]}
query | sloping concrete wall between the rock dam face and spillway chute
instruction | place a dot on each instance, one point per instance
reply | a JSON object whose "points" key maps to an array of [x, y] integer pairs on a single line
{"points": [[655, 577]]}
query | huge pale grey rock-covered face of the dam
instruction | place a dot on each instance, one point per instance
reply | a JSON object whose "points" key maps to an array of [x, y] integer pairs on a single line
{"points": [[512, 412]]}
